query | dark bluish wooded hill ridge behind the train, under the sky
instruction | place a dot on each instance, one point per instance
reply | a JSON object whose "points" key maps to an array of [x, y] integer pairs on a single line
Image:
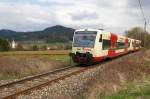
{"points": [[56, 33]]}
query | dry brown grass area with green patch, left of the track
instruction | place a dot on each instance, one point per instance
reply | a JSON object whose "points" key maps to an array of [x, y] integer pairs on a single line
{"points": [[19, 66]]}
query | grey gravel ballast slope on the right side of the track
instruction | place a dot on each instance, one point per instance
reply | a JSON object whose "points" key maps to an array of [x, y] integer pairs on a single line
{"points": [[69, 88]]}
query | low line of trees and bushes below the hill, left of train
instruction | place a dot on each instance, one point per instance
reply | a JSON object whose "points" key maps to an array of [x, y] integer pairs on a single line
{"points": [[6, 45]]}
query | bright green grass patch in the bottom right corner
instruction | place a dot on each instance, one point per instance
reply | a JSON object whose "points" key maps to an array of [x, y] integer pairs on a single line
{"points": [[133, 91]]}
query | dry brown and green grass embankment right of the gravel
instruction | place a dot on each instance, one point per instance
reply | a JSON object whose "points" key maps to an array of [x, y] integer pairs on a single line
{"points": [[123, 78]]}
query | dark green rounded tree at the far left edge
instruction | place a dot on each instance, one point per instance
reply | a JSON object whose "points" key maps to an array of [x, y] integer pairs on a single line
{"points": [[4, 45]]}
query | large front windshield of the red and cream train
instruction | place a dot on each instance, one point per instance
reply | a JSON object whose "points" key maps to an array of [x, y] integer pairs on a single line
{"points": [[84, 39]]}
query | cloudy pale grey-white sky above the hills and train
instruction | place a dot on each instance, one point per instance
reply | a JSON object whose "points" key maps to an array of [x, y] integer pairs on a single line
{"points": [[33, 15]]}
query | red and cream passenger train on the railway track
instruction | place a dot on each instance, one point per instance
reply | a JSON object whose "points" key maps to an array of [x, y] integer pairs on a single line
{"points": [[92, 45]]}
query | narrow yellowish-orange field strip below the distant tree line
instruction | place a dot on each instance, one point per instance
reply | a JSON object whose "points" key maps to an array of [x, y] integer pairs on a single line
{"points": [[50, 52]]}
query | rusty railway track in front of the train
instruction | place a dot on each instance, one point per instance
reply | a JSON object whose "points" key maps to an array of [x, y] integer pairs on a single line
{"points": [[25, 86]]}
